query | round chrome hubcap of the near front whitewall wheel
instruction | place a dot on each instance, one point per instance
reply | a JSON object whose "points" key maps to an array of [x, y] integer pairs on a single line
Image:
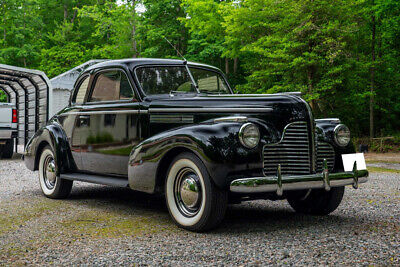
{"points": [[188, 192]]}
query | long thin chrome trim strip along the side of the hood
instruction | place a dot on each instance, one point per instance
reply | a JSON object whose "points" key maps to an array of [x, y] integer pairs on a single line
{"points": [[210, 110]]}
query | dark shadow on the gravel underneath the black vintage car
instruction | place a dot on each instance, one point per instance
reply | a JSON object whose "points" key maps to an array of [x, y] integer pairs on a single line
{"points": [[266, 216]]}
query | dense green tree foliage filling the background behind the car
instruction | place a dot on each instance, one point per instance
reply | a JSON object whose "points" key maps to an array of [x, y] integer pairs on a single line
{"points": [[343, 55]]}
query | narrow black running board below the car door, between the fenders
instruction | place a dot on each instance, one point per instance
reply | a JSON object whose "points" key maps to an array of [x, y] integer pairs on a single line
{"points": [[96, 179]]}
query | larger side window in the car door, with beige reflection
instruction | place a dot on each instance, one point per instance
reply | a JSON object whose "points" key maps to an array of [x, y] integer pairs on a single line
{"points": [[111, 86]]}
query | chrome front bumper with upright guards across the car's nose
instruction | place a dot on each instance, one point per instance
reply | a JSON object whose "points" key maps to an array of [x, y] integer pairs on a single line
{"points": [[281, 183]]}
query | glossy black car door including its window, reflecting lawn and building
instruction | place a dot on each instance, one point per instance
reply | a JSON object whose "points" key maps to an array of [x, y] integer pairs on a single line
{"points": [[111, 118]]}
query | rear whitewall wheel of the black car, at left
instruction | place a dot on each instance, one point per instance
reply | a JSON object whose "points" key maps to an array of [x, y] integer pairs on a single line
{"points": [[52, 185]]}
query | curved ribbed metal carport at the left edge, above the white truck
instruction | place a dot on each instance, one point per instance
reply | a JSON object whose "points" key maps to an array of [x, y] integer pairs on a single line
{"points": [[30, 90]]}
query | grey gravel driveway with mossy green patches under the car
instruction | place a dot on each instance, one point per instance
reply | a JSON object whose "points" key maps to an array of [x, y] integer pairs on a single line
{"points": [[101, 225]]}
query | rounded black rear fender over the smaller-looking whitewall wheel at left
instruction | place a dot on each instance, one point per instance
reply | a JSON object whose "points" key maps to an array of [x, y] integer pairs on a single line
{"points": [[52, 134]]}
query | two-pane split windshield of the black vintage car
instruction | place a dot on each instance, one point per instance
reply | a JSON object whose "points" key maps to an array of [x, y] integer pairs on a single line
{"points": [[173, 79]]}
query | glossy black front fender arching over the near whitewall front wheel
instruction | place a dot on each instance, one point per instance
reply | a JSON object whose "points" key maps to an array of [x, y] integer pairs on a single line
{"points": [[216, 144]]}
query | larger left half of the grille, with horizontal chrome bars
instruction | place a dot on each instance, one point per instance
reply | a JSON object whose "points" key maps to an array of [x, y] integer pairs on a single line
{"points": [[292, 152]]}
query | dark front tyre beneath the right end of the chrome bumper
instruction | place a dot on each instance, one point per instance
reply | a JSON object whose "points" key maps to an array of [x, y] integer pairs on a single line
{"points": [[316, 201]]}
